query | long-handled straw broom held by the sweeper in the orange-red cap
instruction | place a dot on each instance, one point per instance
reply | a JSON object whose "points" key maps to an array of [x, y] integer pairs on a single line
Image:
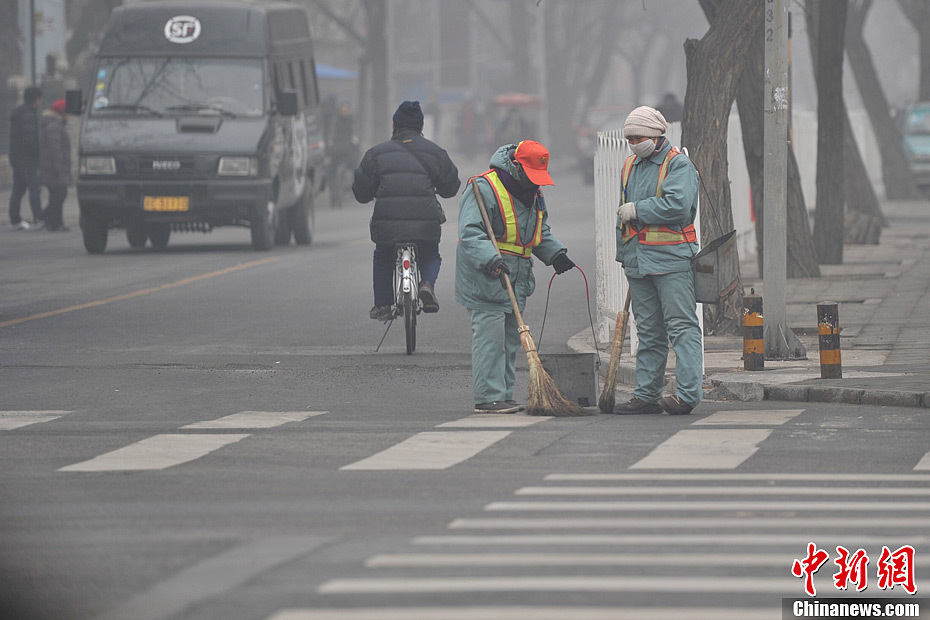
{"points": [[544, 395]]}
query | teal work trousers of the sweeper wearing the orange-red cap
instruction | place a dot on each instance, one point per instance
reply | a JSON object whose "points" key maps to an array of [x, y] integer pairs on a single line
{"points": [[494, 345]]}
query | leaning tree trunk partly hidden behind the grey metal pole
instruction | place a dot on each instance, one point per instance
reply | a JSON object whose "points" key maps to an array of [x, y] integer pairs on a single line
{"points": [[802, 262]]}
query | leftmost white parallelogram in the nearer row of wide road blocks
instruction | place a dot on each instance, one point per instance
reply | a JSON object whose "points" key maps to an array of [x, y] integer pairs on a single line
{"points": [[157, 452]]}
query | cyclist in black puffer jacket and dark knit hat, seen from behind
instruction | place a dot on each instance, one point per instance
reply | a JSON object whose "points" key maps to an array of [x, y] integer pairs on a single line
{"points": [[403, 176]]}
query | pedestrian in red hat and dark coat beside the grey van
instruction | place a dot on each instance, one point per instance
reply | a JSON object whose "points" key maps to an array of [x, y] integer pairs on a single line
{"points": [[55, 163]]}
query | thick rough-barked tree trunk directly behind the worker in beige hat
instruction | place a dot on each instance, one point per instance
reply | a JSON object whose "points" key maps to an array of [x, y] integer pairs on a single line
{"points": [[714, 66]]}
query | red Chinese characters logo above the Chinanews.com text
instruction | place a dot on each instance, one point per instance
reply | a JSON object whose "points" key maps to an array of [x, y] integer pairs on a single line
{"points": [[894, 568]]}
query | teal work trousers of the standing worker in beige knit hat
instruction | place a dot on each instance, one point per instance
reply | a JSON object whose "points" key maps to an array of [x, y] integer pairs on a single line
{"points": [[664, 308]]}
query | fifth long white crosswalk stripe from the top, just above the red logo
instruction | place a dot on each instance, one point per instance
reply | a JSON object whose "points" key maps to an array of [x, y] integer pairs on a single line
{"points": [[753, 539]]}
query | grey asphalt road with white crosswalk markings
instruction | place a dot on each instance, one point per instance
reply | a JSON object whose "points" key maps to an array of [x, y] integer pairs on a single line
{"points": [[206, 433]]}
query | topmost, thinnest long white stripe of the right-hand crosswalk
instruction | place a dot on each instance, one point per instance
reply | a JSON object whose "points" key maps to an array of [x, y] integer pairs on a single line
{"points": [[737, 477]]}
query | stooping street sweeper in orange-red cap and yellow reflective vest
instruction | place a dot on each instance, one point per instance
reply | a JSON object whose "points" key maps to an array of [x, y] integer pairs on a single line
{"points": [[519, 219]]}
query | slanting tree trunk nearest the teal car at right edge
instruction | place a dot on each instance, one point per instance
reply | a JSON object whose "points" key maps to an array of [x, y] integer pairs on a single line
{"points": [[896, 173]]}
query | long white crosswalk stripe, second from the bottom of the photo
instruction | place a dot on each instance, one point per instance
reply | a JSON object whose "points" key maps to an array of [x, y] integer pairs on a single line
{"points": [[560, 583]]}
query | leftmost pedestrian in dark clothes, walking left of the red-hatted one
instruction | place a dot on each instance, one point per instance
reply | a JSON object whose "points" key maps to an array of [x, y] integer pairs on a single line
{"points": [[24, 159]]}
